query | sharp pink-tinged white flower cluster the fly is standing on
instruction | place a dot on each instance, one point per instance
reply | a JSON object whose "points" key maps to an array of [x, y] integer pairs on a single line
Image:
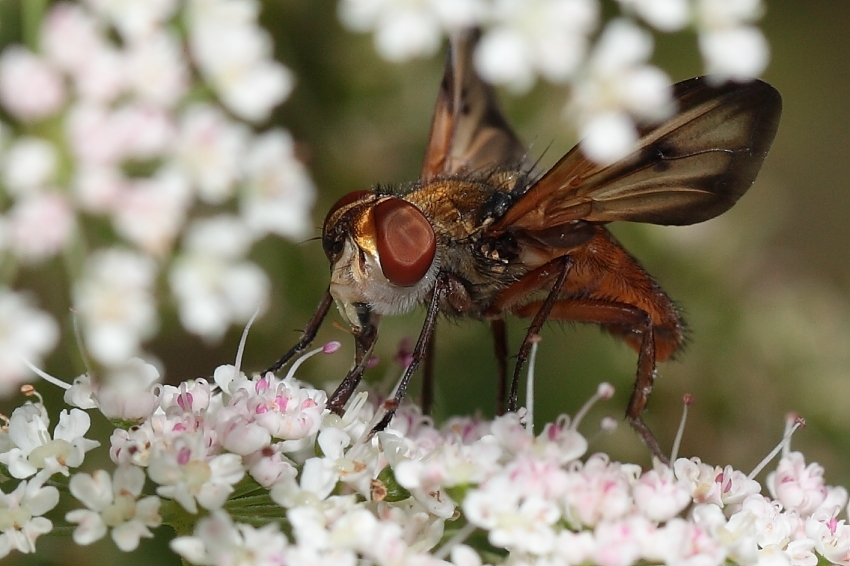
{"points": [[259, 471]]}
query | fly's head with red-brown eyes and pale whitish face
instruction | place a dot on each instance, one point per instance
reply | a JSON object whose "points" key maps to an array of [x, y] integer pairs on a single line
{"points": [[383, 256]]}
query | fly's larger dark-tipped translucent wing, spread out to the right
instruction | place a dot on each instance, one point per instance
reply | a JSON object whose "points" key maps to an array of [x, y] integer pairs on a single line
{"points": [[686, 170]]}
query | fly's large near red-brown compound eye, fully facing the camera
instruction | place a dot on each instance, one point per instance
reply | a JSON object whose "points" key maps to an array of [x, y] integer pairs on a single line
{"points": [[406, 241]]}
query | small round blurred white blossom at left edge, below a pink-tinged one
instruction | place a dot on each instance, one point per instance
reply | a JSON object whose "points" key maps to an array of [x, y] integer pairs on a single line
{"points": [[29, 163]]}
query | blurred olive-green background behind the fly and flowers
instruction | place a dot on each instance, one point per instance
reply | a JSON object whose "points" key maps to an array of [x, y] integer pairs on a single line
{"points": [[765, 288]]}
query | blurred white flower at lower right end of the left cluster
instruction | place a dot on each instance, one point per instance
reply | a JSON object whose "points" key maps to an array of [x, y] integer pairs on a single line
{"points": [[214, 286]]}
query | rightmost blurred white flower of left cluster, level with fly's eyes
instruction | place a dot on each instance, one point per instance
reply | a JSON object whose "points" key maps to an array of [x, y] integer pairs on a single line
{"points": [[279, 192]]}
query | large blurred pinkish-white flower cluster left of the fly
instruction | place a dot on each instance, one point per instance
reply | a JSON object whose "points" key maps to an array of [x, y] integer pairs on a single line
{"points": [[130, 127]]}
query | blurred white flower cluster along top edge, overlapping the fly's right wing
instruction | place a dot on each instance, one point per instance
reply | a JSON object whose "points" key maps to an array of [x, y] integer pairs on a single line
{"points": [[612, 81]]}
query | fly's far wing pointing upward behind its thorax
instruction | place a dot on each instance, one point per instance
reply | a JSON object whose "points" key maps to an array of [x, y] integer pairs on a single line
{"points": [[469, 133]]}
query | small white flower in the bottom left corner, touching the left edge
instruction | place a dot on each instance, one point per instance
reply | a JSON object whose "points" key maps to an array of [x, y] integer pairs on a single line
{"points": [[21, 510]]}
